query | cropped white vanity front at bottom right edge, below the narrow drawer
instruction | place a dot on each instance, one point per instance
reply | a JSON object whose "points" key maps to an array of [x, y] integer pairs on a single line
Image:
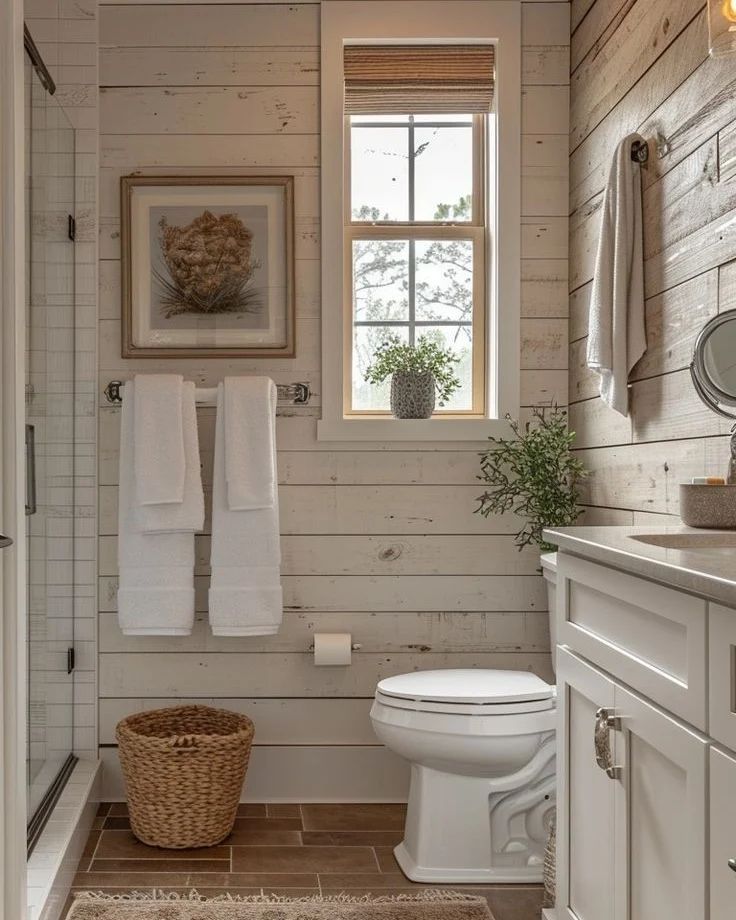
{"points": [[722, 835]]}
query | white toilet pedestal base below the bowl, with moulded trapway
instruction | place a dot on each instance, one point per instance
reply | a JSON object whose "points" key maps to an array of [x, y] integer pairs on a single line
{"points": [[469, 829]]}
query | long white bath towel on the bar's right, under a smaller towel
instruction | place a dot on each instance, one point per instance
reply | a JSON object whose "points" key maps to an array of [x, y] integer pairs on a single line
{"points": [[245, 596]]}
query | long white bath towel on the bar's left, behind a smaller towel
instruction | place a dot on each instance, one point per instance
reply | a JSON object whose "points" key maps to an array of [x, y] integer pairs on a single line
{"points": [[156, 584]]}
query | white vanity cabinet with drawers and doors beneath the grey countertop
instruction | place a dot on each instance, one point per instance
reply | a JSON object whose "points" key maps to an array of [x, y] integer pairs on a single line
{"points": [[646, 821]]}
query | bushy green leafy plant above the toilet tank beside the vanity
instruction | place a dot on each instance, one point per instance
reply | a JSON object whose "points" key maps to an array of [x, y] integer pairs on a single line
{"points": [[534, 475]]}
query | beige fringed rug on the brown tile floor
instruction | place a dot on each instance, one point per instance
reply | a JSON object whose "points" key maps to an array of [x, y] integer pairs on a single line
{"points": [[428, 905]]}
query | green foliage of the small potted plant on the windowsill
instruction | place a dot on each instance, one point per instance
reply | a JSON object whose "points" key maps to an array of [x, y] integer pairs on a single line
{"points": [[426, 357]]}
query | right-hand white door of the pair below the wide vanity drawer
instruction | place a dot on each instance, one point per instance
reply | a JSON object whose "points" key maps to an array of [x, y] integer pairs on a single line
{"points": [[661, 813]]}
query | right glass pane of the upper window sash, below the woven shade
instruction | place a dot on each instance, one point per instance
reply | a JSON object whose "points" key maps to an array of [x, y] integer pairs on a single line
{"points": [[443, 164]]}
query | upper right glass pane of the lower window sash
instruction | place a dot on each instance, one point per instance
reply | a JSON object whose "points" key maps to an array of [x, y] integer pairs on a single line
{"points": [[444, 280]]}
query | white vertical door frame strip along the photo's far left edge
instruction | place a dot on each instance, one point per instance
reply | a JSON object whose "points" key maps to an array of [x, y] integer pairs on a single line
{"points": [[12, 466]]}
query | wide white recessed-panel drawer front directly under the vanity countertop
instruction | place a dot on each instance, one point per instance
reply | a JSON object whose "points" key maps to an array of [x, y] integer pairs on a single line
{"points": [[650, 636]]}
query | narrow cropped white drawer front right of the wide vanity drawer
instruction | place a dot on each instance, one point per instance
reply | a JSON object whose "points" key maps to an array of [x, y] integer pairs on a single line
{"points": [[722, 694]]}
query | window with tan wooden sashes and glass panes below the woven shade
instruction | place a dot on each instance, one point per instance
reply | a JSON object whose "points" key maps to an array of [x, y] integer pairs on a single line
{"points": [[415, 246]]}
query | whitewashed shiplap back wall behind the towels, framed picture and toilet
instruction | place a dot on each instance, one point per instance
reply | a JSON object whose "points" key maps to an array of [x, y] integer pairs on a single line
{"points": [[379, 542]]}
